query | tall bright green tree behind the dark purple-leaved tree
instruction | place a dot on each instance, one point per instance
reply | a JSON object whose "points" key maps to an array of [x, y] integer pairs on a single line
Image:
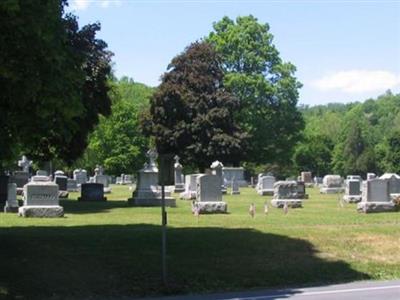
{"points": [[264, 84]]}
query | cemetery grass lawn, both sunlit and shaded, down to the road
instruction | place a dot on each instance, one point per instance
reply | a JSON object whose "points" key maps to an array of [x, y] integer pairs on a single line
{"points": [[106, 250]]}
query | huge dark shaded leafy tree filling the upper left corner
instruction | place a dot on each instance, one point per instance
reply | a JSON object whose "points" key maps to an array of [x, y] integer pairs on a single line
{"points": [[53, 80]]}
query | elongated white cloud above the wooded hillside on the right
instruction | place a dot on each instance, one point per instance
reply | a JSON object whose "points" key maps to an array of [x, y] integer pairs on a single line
{"points": [[358, 81]]}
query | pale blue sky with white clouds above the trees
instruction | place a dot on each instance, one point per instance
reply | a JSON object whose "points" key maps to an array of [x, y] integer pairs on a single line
{"points": [[344, 51]]}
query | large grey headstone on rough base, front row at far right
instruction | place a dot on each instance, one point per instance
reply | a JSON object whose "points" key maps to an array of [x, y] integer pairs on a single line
{"points": [[376, 197]]}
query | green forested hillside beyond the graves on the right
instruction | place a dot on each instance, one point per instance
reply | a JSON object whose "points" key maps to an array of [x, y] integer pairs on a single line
{"points": [[351, 138]]}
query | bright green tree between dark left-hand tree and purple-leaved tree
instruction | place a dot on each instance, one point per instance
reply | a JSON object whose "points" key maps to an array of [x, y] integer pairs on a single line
{"points": [[117, 142]]}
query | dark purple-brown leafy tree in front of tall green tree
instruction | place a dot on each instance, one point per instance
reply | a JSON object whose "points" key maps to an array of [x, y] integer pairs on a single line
{"points": [[192, 114]]}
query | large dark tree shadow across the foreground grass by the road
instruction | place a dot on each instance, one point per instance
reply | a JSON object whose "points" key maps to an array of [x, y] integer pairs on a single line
{"points": [[124, 260]]}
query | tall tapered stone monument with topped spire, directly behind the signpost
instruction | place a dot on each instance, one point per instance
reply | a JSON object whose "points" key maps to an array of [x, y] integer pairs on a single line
{"points": [[147, 191]]}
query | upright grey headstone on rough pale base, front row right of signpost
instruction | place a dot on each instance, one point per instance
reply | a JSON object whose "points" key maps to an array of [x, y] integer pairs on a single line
{"points": [[209, 195]]}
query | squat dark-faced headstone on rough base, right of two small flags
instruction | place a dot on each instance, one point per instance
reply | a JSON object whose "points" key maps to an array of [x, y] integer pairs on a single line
{"points": [[286, 195]]}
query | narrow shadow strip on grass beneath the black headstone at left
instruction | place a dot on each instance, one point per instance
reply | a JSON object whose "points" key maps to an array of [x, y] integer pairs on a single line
{"points": [[78, 207]]}
